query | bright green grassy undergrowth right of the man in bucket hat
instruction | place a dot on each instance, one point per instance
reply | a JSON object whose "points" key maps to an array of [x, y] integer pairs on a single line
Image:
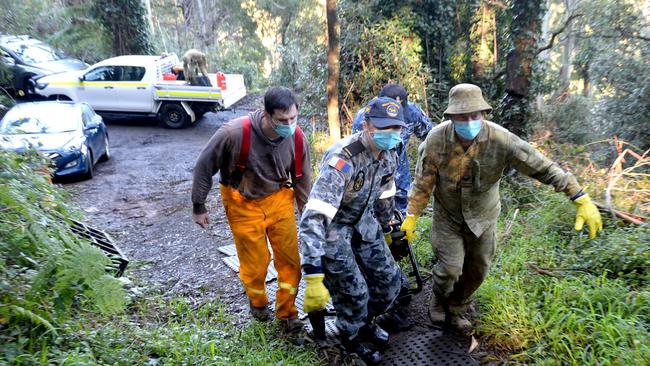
{"points": [[593, 307]]}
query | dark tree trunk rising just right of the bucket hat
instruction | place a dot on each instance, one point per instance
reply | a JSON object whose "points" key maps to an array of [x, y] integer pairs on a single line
{"points": [[525, 29]]}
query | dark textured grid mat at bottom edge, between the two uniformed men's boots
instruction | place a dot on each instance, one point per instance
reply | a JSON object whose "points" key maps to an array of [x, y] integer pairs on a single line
{"points": [[432, 348]]}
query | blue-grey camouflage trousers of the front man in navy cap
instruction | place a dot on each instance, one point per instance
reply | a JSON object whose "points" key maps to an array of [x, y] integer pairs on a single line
{"points": [[363, 280]]}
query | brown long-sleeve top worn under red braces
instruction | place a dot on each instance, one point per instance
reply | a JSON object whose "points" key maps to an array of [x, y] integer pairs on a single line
{"points": [[270, 164]]}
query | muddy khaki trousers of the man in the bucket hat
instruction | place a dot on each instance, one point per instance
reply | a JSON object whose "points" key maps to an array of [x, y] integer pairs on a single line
{"points": [[463, 260]]}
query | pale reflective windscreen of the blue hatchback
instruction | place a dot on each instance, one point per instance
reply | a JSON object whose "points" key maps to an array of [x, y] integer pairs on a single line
{"points": [[40, 119]]}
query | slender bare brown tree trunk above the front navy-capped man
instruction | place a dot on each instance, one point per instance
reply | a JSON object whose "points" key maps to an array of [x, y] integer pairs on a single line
{"points": [[333, 29]]}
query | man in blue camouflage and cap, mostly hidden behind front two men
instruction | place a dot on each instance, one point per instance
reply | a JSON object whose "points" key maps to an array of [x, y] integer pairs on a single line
{"points": [[416, 122]]}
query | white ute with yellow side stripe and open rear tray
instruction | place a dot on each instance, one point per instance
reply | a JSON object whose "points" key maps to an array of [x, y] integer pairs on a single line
{"points": [[134, 85]]}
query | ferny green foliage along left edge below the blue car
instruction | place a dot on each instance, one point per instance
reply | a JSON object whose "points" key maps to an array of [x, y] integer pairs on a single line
{"points": [[47, 273]]}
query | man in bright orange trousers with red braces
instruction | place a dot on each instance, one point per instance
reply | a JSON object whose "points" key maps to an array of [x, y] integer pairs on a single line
{"points": [[260, 179]]}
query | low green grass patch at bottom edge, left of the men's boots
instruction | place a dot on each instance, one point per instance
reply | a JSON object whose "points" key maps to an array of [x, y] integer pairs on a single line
{"points": [[177, 332]]}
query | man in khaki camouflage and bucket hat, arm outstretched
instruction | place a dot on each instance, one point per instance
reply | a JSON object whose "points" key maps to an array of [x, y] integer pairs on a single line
{"points": [[461, 162]]}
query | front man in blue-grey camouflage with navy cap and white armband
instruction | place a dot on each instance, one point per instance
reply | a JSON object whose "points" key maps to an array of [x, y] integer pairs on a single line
{"points": [[342, 226]]}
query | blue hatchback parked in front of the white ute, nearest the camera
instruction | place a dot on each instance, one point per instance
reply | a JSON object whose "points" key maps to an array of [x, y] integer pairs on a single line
{"points": [[69, 133]]}
